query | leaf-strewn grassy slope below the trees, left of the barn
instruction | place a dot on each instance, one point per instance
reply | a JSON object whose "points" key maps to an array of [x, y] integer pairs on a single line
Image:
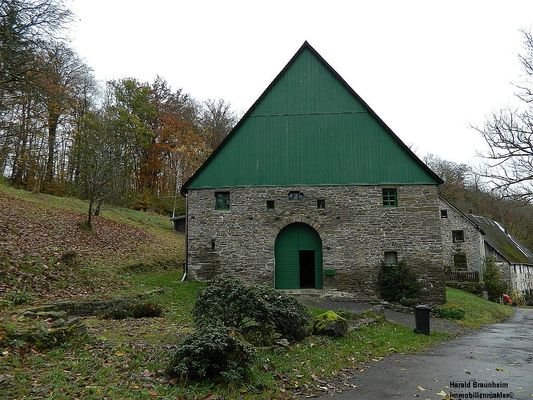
{"points": [[39, 228]]}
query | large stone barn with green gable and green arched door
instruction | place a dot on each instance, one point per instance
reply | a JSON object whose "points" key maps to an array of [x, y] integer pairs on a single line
{"points": [[311, 191]]}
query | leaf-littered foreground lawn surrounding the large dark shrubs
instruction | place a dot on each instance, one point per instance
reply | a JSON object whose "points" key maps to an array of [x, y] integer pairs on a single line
{"points": [[113, 361]]}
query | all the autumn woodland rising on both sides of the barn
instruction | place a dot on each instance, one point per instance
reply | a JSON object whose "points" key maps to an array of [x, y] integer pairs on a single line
{"points": [[135, 143]]}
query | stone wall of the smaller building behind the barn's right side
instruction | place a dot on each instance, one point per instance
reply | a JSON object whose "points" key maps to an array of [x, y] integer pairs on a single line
{"points": [[473, 245]]}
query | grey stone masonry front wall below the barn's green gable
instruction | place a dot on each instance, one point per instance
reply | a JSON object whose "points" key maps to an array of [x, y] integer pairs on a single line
{"points": [[355, 228]]}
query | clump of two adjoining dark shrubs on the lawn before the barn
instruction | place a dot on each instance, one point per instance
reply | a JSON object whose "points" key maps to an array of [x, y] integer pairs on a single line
{"points": [[230, 315]]}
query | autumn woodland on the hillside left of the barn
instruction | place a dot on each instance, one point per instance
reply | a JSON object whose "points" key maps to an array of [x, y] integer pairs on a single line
{"points": [[129, 142]]}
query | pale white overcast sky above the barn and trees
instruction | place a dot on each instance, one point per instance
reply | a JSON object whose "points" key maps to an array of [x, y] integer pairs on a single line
{"points": [[429, 69]]}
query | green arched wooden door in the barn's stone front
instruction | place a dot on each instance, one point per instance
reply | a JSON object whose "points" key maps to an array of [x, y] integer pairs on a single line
{"points": [[293, 246]]}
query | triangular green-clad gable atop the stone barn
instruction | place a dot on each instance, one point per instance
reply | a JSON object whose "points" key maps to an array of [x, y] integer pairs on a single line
{"points": [[309, 127]]}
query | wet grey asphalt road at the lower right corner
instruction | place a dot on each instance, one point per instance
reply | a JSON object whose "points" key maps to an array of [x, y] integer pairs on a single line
{"points": [[500, 354]]}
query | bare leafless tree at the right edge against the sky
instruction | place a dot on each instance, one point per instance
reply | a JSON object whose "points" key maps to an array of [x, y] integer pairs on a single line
{"points": [[509, 134]]}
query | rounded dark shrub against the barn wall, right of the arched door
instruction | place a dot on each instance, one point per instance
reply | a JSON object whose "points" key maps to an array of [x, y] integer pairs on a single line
{"points": [[397, 282]]}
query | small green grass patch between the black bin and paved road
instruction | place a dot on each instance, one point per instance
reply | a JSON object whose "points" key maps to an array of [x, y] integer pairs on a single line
{"points": [[478, 311]]}
